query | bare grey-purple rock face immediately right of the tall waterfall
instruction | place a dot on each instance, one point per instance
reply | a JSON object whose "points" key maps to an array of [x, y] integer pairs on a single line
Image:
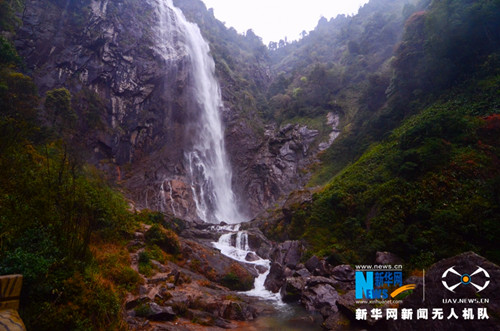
{"points": [[271, 167]]}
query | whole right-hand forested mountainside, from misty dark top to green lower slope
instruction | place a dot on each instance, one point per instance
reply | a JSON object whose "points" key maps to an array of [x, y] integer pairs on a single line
{"points": [[419, 175]]}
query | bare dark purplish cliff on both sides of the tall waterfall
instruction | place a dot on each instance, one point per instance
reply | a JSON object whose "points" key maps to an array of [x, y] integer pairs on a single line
{"points": [[109, 50]]}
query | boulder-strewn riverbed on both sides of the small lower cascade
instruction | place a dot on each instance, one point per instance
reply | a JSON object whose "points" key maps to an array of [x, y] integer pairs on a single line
{"points": [[194, 291]]}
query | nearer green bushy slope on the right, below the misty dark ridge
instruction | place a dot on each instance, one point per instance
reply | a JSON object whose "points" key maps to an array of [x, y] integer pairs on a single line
{"points": [[430, 190]]}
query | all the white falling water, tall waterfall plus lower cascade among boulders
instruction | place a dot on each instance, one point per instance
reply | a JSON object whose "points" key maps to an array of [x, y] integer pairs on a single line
{"points": [[207, 162]]}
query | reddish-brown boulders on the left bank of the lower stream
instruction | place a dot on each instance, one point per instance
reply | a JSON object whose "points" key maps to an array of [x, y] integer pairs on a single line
{"points": [[188, 294]]}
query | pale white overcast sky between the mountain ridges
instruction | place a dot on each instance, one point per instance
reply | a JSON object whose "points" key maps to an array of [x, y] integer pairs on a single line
{"points": [[272, 20]]}
